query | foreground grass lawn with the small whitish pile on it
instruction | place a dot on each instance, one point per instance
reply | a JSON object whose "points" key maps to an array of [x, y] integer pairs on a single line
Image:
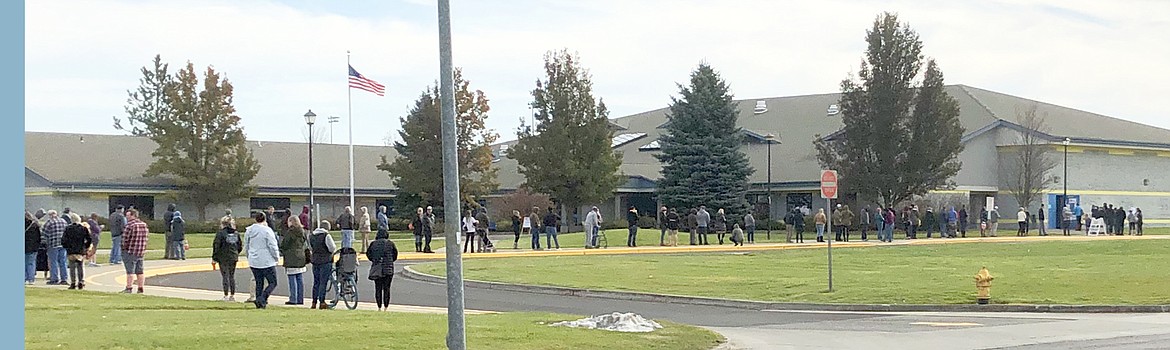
{"points": [[85, 320]]}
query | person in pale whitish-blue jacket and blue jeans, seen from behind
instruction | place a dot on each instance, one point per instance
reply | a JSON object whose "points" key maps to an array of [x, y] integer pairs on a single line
{"points": [[263, 256]]}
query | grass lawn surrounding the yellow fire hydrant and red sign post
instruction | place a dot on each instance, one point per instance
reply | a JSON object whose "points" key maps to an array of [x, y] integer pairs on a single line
{"points": [[1064, 273]]}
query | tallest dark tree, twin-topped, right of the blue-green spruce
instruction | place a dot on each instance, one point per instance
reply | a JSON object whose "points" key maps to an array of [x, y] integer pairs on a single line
{"points": [[900, 139]]}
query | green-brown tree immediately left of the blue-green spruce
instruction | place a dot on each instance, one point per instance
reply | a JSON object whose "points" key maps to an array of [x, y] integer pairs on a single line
{"points": [[569, 153]]}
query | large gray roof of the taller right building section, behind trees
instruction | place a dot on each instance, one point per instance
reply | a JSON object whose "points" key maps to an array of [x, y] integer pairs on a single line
{"points": [[799, 120]]}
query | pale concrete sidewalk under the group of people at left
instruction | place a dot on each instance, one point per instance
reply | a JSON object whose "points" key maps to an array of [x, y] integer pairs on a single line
{"points": [[113, 279]]}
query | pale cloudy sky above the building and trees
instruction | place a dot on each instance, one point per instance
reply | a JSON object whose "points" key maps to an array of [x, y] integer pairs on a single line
{"points": [[286, 58]]}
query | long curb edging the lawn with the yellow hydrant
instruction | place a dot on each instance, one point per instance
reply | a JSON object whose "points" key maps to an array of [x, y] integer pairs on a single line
{"points": [[410, 273]]}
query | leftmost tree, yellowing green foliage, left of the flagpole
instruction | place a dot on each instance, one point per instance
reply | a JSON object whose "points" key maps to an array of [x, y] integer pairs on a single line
{"points": [[201, 142]]}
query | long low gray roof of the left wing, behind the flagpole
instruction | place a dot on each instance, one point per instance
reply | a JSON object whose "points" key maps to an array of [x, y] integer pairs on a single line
{"points": [[109, 160]]}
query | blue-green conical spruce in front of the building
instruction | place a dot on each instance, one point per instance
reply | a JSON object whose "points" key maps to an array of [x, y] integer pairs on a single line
{"points": [[701, 156]]}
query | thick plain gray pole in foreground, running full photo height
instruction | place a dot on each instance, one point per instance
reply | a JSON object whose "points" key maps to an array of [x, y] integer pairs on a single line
{"points": [[457, 337]]}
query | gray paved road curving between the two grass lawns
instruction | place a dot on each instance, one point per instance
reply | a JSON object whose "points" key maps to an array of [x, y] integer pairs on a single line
{"points": [[777, 330]]}
